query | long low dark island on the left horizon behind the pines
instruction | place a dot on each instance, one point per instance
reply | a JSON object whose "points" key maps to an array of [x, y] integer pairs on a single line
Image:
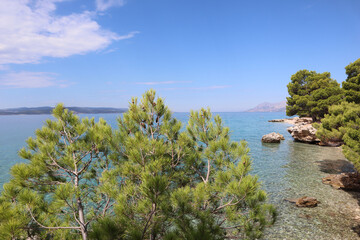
{"points": [[48, 110]]}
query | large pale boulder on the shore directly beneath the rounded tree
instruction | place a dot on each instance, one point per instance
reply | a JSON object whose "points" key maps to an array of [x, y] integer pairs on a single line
{"points": [[303, 133]]}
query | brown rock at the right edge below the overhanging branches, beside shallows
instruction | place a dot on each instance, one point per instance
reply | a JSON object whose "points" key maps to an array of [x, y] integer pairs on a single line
{"points": [[345, 181]]}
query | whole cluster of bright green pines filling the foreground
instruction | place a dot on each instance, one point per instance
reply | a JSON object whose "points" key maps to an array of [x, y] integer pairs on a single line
{"points": [[152, 178]]}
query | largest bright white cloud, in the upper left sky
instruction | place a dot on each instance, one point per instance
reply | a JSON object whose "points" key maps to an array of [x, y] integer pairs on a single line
{"points": [[31, 30]]}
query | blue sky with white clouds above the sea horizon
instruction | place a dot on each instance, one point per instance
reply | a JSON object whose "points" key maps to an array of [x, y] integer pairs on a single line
{"points": [[229, 55]]}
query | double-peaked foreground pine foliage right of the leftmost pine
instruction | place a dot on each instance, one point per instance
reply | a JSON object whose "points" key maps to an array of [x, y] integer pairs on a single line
{"points": [[192, 184]]}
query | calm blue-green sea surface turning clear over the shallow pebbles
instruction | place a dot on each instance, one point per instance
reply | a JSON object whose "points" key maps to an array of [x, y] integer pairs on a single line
{"points": [[286, 170]]}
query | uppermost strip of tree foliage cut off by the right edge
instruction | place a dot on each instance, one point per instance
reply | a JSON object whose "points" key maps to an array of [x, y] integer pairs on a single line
{"points": [[351, 85]]}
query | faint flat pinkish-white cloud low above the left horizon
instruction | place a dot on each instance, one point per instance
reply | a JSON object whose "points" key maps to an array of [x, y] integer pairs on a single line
{"points": [[30, 80]]}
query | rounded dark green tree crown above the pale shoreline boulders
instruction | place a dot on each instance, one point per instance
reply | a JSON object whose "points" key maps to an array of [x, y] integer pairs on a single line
{"points": [[311, 94]]}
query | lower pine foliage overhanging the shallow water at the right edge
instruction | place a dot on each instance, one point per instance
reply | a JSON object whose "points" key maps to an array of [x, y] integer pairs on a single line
{"points": [[343, 123]]}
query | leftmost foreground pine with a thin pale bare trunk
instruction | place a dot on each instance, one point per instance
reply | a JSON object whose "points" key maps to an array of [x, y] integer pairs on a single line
{"points": [[57, 193]]}
